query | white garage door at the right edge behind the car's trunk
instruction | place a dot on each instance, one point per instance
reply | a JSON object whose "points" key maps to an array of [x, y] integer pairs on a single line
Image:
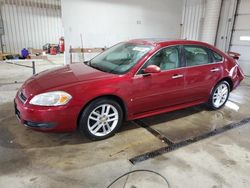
{"points": [[241, 35]]}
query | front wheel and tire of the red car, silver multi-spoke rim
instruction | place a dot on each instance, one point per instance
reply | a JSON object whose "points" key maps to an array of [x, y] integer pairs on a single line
{"points": [[101, 119]]}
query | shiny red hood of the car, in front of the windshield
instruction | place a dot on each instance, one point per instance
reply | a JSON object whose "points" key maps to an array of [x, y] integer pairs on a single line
{"points": [[57, 77]]}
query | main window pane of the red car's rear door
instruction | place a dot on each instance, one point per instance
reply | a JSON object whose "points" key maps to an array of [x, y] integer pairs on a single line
{"points": [[196, 55]]}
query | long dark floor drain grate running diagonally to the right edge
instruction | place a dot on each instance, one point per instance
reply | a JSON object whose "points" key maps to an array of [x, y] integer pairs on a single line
{"points": [[178, 145]]}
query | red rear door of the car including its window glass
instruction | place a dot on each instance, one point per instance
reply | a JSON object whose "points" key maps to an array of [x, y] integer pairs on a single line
{"points": [[203, 71]]}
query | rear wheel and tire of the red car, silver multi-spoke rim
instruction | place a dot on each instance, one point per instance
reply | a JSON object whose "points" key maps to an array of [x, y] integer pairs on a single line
{"points": [[218, 99]]}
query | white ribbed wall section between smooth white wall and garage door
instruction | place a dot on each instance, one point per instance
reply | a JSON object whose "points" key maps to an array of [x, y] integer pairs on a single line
{"points": [[200, 20]]}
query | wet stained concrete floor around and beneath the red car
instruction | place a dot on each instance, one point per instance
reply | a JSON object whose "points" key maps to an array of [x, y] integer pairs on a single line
{"points": [[34, 159]]}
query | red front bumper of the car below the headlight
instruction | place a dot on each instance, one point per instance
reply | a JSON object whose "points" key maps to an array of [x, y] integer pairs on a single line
{"points": [[47, 119]]}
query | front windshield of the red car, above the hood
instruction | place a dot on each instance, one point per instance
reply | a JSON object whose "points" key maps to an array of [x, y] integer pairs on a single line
{"points": [[120, 58]]}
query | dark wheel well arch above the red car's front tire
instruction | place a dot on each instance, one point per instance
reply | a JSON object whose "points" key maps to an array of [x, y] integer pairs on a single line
{"points": [[113, 97]]}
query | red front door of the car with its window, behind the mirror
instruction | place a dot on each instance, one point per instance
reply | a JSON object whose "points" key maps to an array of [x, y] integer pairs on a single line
{"points": [[159, 90]]}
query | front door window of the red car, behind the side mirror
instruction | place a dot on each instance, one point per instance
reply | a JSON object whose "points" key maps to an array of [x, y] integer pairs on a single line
{"points": [[166, 59]]}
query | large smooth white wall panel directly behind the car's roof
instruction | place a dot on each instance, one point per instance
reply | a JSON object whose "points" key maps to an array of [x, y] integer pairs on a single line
{"points": [[106, 22]]}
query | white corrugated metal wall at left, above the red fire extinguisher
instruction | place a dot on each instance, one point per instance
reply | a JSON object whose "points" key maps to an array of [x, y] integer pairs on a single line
{"points": [[30, 23]]}
